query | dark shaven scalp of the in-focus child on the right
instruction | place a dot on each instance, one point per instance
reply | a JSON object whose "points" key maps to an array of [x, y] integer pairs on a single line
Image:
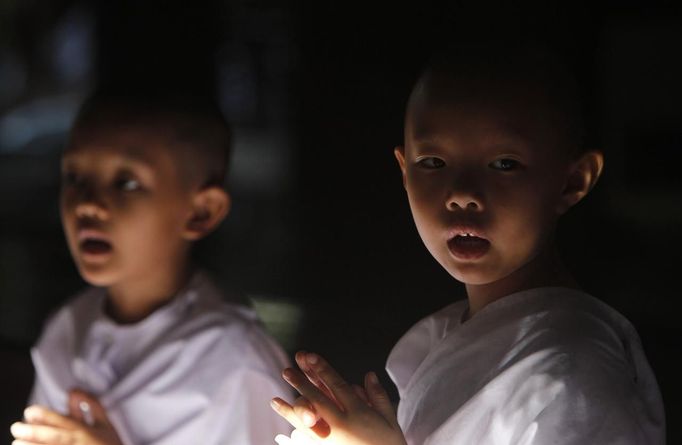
{"points": [[513, 83]]}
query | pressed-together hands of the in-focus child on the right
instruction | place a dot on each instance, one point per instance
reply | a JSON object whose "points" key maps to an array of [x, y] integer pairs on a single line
{"points": [[351, 417]]}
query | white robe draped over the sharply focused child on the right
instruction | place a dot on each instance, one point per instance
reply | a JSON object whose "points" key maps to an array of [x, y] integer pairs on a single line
{"points": [[544, 366]]}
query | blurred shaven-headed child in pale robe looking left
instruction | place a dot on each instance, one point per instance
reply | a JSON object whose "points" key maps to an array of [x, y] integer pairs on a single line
{"points": [[153, 354]]}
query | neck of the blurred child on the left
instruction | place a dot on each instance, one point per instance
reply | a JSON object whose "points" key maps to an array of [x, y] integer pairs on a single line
{"points": [[136, 299]]}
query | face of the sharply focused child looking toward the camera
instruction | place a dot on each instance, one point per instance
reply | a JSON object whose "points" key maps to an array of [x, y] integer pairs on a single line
{"points": [[484, 179]]}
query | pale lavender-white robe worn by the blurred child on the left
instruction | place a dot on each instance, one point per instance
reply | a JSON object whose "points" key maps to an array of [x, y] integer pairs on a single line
{"points": [[196, 371]]}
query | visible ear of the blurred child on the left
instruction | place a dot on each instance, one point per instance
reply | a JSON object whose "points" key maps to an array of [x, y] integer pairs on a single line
{"points": [[210, 205]]}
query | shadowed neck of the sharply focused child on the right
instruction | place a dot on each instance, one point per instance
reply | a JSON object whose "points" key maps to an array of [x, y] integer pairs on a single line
{"points": [[545, 270]]}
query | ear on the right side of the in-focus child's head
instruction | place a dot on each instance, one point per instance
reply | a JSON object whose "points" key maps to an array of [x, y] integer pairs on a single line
{"points": [[583, 175]]}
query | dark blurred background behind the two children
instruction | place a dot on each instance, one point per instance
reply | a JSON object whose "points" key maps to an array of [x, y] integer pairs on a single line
{"points": [[320, 236]]}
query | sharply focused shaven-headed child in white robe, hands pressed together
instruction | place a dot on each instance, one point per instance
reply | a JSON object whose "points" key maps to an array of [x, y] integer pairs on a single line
{"points": [[493, 156]]}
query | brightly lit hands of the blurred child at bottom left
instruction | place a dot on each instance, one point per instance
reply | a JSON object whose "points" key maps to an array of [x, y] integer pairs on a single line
{"points": [[87, 424]]}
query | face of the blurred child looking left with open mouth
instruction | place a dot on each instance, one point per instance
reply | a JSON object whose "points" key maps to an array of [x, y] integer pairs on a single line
{"points": [[123, 205]]}
